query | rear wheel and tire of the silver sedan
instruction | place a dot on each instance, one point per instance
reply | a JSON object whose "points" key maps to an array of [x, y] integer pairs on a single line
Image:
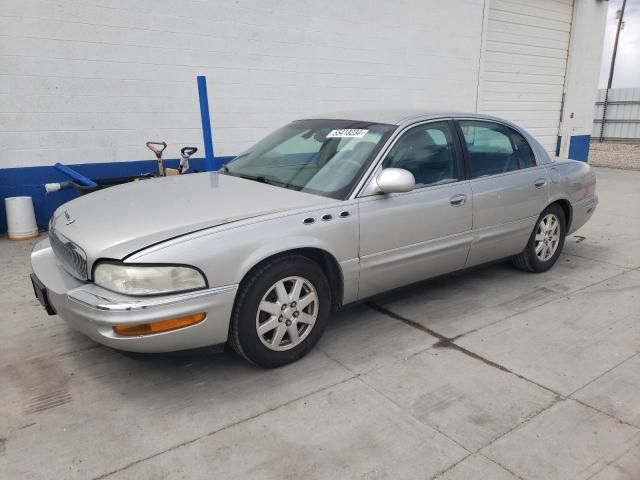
{"points": [[545, 243]]}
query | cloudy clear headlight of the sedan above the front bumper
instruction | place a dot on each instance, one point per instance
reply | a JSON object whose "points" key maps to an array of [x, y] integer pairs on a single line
{"points": [[147, 279]]}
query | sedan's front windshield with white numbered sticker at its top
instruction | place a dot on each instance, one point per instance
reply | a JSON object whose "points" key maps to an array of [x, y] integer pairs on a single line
{"points": [[325, 157]]}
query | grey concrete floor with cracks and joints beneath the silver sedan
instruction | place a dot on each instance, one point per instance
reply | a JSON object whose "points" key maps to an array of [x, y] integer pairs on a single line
{"points": [[493, 374]]}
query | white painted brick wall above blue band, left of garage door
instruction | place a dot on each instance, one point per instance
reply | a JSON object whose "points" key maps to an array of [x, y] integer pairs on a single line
{"points": [[91, 80]]}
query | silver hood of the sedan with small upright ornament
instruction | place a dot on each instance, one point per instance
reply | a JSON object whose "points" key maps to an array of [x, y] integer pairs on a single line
{"points": [[115, 222]]}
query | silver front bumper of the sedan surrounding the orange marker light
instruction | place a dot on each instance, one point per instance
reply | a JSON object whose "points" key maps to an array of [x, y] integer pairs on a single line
{"points": [[94, 310]]}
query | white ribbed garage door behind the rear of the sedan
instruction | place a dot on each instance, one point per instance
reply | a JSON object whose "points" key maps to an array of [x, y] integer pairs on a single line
{"points": [[525, 61]]}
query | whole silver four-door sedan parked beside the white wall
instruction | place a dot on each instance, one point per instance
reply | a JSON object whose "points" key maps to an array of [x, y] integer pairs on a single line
{"points": [[323, 212]]}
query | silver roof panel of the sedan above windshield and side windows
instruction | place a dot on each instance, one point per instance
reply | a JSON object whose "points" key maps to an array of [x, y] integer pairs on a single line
{"points": [[398, 116]]}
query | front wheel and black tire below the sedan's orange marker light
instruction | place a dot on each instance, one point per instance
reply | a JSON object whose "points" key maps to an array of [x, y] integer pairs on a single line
{"points": [[281, 311]]}
